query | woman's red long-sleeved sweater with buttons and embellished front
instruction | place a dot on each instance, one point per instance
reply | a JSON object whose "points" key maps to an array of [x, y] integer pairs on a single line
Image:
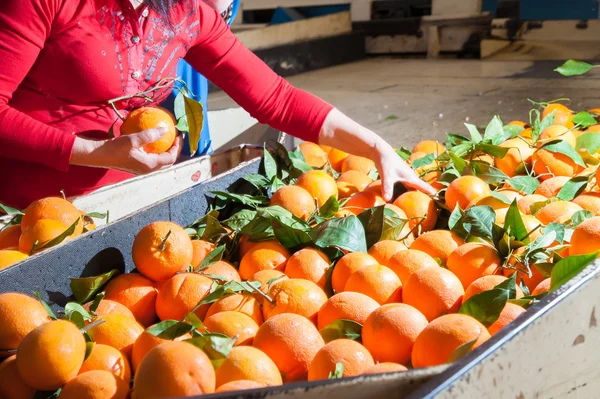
{"points": [[62, 60]]}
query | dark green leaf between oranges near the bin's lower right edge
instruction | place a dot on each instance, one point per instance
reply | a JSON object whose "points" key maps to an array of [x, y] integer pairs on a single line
{"points": [[487, 306]]}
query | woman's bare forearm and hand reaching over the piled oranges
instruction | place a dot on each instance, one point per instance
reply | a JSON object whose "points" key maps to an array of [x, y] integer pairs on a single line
{"points": [[343, 133]]}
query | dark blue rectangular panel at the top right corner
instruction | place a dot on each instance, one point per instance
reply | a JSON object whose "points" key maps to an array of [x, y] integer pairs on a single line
{"points": [[559, 9]]}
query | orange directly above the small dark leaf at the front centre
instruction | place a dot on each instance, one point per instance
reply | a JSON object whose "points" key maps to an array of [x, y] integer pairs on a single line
{"points": [[347, 306]]}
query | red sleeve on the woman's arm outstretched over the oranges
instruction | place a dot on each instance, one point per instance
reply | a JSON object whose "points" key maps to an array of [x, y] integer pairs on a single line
{"points": [[269, 98]]}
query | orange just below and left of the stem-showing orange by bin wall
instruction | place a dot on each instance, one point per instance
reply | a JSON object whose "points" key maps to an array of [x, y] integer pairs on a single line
{"points": [[135, 292]]}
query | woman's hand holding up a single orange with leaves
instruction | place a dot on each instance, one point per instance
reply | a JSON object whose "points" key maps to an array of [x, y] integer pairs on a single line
{"points": [[125, 153]]}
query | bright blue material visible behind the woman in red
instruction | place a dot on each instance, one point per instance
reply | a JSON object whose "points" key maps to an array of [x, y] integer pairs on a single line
{"points": [[198, 85]]}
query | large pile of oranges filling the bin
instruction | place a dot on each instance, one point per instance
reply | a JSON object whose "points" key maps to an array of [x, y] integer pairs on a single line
{"points": [[399, 305]]}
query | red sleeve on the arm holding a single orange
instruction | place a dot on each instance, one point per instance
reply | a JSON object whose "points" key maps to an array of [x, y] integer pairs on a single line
{"points": [[26, 25]]}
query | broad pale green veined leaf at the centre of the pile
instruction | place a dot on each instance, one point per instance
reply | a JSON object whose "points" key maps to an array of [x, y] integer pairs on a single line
{"points": [[346, 233]]}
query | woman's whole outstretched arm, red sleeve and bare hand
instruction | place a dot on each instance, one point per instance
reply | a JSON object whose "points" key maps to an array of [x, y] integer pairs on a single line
{"points": [[220, 57]]}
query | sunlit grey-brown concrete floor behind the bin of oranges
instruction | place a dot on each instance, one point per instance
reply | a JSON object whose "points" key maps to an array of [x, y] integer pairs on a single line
{"points": [[406, 100]]}
